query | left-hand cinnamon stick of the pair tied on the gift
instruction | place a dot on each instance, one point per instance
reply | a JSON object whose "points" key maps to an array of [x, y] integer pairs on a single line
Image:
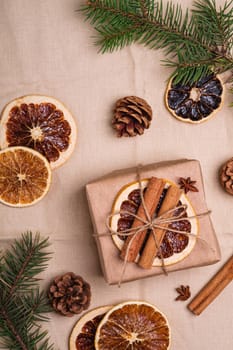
{"points": [[152, 195]]}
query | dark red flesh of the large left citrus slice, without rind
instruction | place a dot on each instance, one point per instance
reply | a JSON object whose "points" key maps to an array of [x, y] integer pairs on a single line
{"points": [[39, 126]]}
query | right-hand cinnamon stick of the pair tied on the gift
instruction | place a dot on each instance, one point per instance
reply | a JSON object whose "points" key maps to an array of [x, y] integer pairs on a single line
{"points": [[151, 248]]}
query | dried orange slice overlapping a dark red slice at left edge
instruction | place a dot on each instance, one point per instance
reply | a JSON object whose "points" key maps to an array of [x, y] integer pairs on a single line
{"points": [[25, 176]]}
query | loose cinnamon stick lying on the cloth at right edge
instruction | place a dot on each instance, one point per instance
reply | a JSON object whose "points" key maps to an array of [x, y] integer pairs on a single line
{"points": [[213, 288]]}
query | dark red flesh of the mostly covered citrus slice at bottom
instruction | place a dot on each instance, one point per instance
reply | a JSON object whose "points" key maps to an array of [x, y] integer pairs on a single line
{"points": [[86, 338]]}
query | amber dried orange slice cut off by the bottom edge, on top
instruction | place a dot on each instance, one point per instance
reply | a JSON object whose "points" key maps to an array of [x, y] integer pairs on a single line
{"points": [[133, 325]]}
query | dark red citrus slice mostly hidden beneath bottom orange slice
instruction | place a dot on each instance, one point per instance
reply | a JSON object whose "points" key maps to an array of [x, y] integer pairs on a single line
{"points": [[82, 336]]}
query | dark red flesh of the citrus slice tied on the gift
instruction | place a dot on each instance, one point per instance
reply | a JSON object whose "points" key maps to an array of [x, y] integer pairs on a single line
{"points": [[172, 242]]}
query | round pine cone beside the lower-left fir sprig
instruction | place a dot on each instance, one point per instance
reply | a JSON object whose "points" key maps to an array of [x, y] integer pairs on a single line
{"points": [[69, 294]]}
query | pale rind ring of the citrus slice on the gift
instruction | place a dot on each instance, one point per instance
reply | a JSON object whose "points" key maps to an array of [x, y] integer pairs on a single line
{"points": [[123, 195]]}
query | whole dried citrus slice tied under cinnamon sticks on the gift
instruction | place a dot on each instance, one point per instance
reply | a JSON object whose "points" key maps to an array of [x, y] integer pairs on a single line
{"points": [[175, 246]]}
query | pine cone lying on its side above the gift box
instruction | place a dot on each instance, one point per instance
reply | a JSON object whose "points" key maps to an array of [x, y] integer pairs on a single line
{"points": [[131, 116]]}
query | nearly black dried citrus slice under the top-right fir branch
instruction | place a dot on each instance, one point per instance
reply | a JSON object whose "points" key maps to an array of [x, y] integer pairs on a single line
{"points": [[197, 102]]}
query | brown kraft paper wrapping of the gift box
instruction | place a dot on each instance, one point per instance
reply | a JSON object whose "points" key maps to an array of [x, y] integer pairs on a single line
{"points": [[101, 194]]}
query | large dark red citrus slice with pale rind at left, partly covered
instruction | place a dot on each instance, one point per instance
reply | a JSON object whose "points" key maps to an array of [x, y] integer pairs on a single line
{"points": [[41, 123]]}
